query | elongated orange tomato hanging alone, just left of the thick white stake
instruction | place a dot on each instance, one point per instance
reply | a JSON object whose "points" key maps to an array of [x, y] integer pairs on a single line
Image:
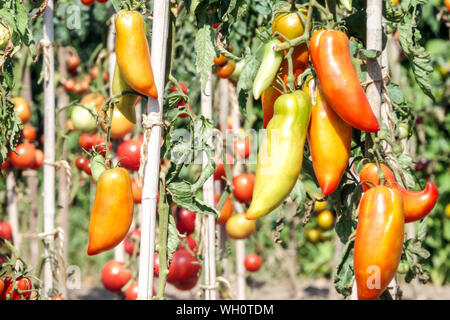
{"points": [[112, 212]]}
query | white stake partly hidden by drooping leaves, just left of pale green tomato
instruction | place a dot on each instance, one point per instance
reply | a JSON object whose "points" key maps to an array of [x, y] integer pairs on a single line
{"points": [[208, 197]]}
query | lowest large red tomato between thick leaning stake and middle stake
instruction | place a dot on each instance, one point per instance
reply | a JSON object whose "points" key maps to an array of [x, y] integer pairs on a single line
{"points": [[183, 269]]}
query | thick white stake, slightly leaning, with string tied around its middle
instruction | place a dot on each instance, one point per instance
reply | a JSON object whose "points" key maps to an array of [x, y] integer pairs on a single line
{"points": [[160, 33]]}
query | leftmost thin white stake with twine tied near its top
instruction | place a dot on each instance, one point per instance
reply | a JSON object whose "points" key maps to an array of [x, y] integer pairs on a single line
{"points": [[49, 144]]}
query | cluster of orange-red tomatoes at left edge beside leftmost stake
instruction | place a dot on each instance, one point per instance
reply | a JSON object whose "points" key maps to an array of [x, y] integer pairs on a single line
{"points": [[26, 155]]}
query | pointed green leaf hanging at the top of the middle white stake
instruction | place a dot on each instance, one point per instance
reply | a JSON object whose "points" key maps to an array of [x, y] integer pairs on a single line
{"points": [[204, 49]]}
